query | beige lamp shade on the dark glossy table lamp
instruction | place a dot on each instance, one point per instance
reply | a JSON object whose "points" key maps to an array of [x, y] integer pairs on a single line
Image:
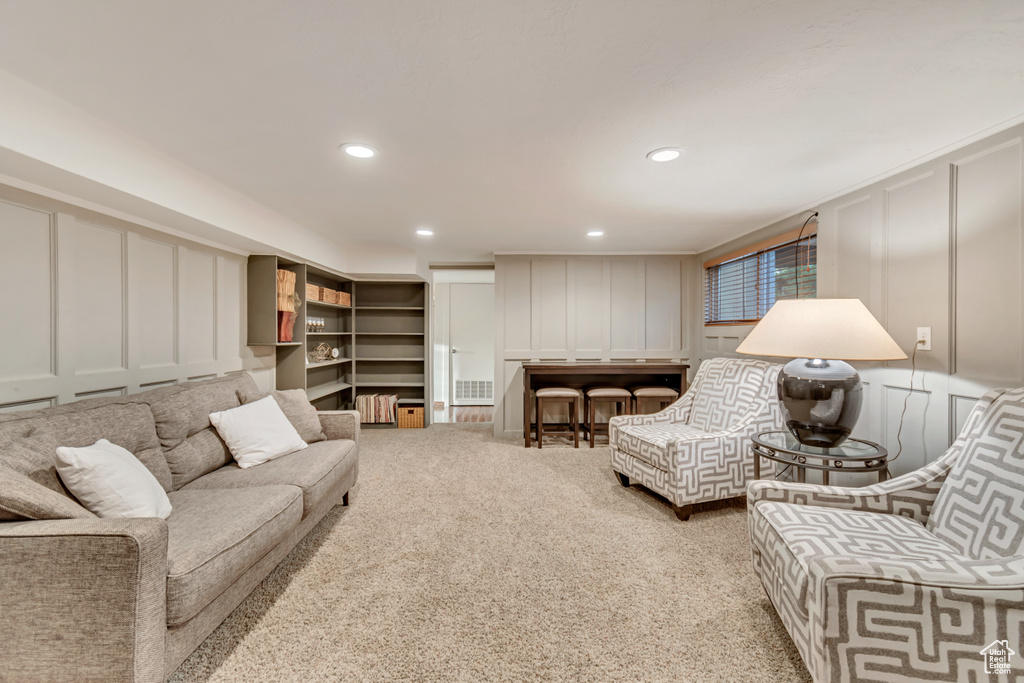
{"points": [[832, 329]]}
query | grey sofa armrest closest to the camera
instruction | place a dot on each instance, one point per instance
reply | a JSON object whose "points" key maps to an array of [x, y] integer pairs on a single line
{"points": [[83, 600]]}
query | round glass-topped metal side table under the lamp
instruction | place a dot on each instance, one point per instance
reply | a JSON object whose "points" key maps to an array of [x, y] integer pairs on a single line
{"points": [[854, 455]]}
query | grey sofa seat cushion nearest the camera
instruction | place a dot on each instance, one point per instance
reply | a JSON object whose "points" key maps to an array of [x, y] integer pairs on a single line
{"points": [[214, 537]]}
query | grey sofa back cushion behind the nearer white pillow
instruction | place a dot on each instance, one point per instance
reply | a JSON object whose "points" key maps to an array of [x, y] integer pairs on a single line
{"points": [[123, 421]]}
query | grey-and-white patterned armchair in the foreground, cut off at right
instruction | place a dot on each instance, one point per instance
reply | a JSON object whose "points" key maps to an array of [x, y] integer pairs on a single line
{"points": [[917, 579]]}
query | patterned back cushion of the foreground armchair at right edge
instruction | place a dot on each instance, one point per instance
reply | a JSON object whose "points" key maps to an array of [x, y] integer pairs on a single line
{"points": [[978, 510]]}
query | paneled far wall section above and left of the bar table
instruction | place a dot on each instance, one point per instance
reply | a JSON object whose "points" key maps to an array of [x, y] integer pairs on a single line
{"points": [[588, 309]]}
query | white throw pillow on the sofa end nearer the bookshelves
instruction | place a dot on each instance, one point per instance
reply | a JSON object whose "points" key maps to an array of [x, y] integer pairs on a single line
{"points": [[258, 433]]}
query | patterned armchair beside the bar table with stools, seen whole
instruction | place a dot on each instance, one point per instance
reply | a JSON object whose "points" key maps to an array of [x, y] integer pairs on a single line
{"points": [[698, 449]]}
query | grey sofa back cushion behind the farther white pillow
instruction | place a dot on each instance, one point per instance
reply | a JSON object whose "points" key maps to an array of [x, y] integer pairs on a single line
{"points": [[192, 446]]}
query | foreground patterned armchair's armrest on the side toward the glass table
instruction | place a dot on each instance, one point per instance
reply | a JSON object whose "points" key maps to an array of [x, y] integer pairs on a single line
{"points": [[910, 496]]}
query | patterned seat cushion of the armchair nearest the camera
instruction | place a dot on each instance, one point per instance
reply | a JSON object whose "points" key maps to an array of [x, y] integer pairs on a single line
{"points": [[795, 535]]}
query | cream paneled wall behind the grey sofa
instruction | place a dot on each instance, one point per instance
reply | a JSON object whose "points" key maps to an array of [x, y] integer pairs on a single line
{"points": [[96, 307]]}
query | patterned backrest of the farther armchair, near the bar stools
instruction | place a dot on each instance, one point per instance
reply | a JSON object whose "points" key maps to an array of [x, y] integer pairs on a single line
{"points": [[727, 391]]}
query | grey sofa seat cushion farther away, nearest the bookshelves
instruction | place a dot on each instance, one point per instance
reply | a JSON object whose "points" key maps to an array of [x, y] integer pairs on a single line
{"points": [[316, 471]]}
